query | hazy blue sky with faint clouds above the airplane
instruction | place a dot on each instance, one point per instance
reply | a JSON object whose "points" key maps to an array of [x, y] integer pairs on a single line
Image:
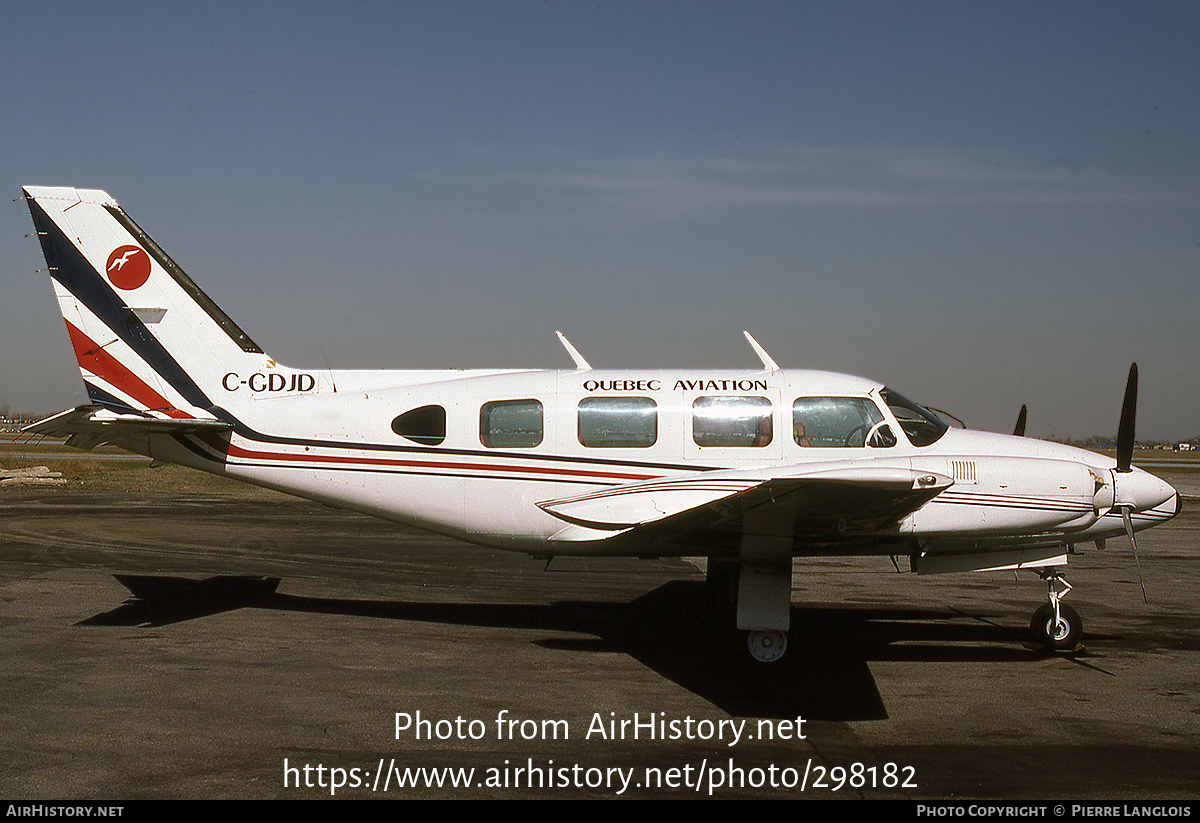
{"points": [[980, 205]]}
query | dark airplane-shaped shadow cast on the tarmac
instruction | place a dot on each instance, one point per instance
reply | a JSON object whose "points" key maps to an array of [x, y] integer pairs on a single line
{"points": [[673, 630]]}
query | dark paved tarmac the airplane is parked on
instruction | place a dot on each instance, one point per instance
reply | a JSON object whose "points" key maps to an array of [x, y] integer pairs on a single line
{"points": [[591, 678]]}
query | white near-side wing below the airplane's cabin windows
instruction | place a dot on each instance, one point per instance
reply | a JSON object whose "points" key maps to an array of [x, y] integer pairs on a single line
{"points": [[808, 503]]}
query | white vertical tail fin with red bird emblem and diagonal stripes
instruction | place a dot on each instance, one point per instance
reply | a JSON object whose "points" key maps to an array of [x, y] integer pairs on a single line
{"points": [[147, 338]]}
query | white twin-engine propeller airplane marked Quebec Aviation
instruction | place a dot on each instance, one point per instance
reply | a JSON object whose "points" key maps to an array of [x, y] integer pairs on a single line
{"points": [[751, 468]]}
